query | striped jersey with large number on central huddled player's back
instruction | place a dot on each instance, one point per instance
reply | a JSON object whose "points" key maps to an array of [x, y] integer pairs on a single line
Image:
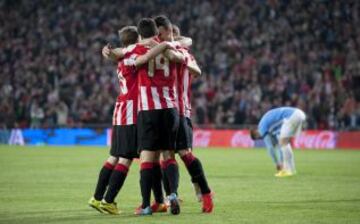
{"points": [[157, 83]]}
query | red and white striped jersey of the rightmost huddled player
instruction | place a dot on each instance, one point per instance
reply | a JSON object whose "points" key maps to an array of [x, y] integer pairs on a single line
{"points": [[184, 85]]}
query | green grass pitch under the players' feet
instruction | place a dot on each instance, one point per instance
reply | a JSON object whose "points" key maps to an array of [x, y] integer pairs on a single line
{"points": [[53, 185]]}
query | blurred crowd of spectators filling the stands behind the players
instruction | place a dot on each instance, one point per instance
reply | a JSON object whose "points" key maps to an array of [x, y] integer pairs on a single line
{"points": [[255, 55]]}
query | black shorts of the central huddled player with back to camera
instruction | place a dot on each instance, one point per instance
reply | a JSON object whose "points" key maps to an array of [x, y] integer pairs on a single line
{"points": [[157, 129]]}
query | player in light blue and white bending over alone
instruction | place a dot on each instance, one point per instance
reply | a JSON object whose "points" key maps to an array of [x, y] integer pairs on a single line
{"points": [[277, 127]]}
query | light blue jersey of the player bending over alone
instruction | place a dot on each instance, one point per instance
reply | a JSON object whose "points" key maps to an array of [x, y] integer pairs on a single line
{"points": [[271, 122]]}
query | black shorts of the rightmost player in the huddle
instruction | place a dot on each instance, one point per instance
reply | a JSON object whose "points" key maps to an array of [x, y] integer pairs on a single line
{"points": [[185, 136]]}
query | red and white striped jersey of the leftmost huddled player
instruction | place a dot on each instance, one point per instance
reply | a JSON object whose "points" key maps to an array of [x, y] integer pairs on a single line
{"points": [[125, 111]]}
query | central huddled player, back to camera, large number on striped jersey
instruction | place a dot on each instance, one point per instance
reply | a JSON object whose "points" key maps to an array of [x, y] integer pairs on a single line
{"points": [[158, 119]]}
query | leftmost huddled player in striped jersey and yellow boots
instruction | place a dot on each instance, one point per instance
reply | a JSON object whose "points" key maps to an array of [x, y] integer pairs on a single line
{"points": [[124, 144]]}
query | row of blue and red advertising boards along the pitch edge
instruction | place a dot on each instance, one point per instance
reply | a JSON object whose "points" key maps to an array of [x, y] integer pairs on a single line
{"points": [[311, 139]]}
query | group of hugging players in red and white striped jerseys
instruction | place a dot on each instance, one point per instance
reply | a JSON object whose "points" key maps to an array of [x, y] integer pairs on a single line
{"points": [[151, 119]]}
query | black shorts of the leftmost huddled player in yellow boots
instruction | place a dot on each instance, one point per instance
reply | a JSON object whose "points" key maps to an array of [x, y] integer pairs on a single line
{"points": [[124, 142]]}
